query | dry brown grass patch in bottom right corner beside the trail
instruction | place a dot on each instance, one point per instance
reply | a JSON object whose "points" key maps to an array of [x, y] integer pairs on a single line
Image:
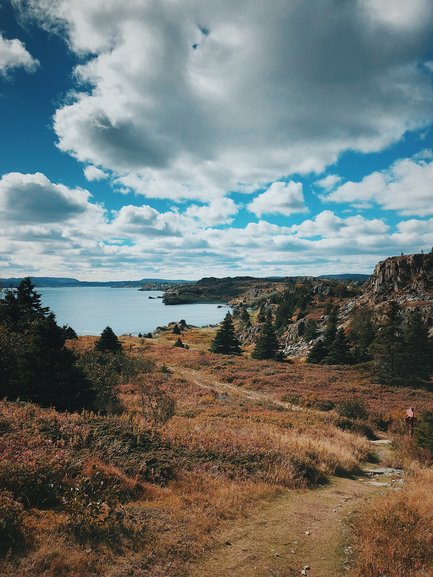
{"points": [[395, 534]]}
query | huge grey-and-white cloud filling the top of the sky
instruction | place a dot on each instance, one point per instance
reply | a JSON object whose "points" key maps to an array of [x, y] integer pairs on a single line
{"points": [[189, 100]]}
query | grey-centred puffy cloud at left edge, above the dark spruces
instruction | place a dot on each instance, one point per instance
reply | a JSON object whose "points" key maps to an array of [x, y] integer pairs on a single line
{"points": [[34, 199]]}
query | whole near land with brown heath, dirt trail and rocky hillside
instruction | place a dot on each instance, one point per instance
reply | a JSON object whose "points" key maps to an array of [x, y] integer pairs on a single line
{"points": [[167, 460]]}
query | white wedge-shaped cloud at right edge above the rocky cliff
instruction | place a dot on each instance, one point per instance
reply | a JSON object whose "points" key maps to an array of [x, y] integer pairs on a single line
{"points": [[406, 187]]}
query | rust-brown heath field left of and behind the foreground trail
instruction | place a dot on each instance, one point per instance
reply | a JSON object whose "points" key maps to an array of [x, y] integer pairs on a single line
{"points": [[243, 432]]}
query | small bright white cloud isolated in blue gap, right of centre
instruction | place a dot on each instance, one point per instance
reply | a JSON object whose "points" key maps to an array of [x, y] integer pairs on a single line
{"points": [[280, 198]]}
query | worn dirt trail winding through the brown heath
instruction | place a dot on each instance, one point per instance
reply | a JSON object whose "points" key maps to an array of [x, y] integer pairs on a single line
{"points": [[297, 529]]}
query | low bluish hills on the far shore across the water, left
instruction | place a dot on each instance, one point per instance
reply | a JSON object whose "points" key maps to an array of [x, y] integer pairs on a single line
{"points": [[48, 281]]}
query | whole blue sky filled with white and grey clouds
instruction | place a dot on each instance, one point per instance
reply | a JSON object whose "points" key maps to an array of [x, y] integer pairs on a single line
{"points": [[191, 138]]}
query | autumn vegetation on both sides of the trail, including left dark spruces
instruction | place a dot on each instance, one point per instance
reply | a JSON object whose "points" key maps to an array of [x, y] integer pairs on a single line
{"points": [[127, 459]]}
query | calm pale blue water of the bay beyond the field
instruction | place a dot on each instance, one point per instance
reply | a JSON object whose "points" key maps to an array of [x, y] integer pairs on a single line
{"points": [[88, 310]]}
